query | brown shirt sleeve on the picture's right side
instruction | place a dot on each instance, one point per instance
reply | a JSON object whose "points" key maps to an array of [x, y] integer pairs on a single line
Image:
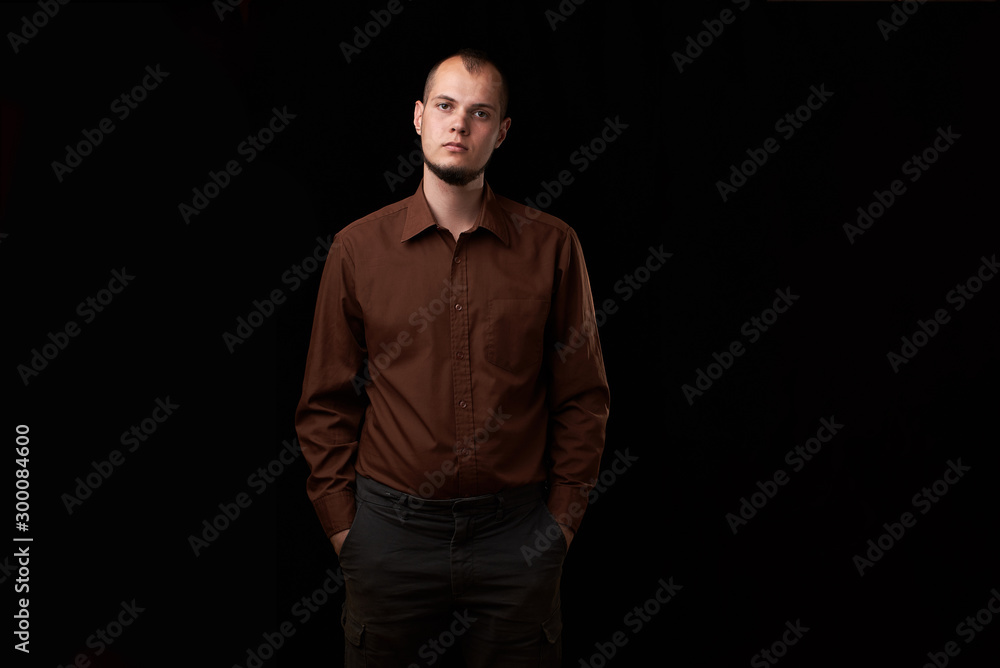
{"points": [[578, 389]]}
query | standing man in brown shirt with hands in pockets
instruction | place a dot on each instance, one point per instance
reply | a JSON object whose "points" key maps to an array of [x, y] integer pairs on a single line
{"points": [[454, 402]]}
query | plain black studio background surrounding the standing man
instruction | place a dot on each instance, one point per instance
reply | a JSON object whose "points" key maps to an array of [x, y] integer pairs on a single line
{"points": [[654, 185]]}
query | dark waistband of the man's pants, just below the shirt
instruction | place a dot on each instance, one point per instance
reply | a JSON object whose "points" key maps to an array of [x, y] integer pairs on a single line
{"points": [[375, 492]]}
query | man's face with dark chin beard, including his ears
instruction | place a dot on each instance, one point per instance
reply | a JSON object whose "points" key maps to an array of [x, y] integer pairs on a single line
{"points": [[460, 125]]}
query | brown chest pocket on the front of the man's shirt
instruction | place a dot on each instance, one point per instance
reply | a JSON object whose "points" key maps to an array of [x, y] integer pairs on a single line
{"points": [[516, 334]]}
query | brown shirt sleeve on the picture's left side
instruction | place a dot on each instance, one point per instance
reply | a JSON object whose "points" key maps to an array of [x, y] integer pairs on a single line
{"points": [[330, 412]]}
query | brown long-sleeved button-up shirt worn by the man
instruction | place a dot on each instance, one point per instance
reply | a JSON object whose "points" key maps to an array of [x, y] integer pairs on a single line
{"points": [[451, 369]]}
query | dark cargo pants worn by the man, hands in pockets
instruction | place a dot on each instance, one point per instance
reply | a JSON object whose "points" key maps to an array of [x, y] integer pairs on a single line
{"points": [[427, 580]]}
